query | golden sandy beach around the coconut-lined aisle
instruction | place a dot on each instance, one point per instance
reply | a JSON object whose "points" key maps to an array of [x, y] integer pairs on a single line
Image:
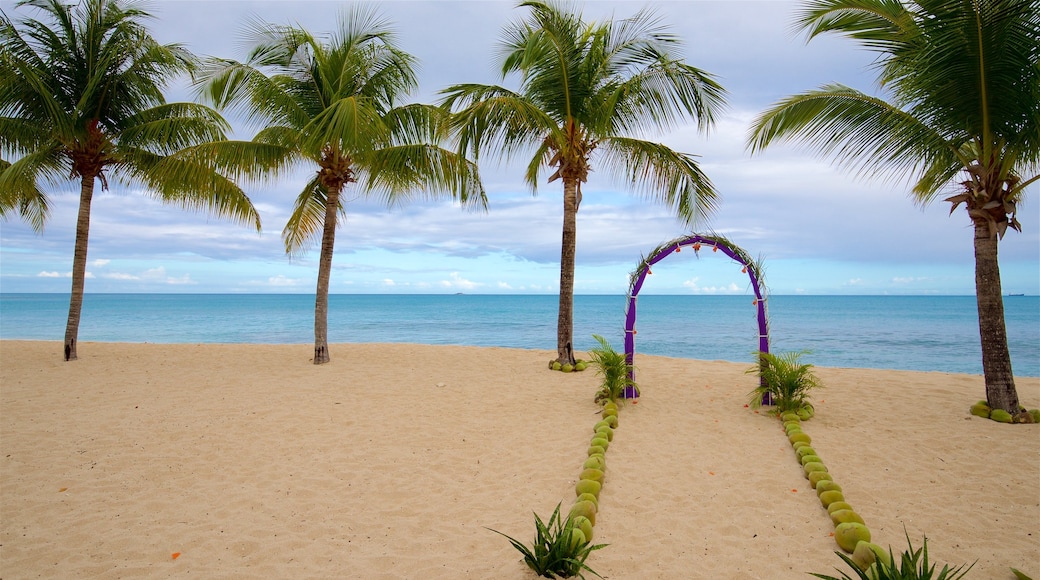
{"points": [[393, 461]]}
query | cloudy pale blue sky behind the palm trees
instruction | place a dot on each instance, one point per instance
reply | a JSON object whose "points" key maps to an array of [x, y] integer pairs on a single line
{"points": [[816, 229]]}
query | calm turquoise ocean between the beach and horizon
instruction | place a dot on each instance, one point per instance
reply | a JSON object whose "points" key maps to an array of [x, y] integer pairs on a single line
{"points": [[907, 333]]}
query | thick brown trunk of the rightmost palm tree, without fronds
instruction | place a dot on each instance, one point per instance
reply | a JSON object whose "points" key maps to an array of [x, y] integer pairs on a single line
{"points": [[1001, 391]]}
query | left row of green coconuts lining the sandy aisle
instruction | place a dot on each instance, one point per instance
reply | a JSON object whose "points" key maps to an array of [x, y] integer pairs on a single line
{"points": [[583, 514]]}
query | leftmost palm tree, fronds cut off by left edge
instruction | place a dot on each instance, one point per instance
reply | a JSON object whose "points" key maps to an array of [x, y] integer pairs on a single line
{"points": [[81, 99]]}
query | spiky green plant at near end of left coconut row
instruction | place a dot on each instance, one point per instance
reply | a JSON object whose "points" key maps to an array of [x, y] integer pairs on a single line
{"points": [[560, 548]]}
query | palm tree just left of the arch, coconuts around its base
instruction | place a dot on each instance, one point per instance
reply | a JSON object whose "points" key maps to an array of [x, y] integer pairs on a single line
{"points": [[585, 89]]}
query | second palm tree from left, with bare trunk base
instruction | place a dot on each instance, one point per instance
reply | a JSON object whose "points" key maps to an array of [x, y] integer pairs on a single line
{"points": [[334, 106]]}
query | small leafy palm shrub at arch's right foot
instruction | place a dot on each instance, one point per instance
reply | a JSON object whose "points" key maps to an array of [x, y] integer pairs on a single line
{"points": [[788, 381]]}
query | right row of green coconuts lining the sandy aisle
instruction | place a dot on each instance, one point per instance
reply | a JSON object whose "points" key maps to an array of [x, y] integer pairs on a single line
{"points": [[850, 532]]}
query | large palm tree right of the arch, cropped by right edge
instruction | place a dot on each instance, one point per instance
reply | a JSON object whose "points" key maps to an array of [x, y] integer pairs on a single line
{"points": [[963, 116]]}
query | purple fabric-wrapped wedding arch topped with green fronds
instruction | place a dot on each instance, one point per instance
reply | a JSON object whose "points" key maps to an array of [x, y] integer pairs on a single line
{"points": [[697, 243]]}
